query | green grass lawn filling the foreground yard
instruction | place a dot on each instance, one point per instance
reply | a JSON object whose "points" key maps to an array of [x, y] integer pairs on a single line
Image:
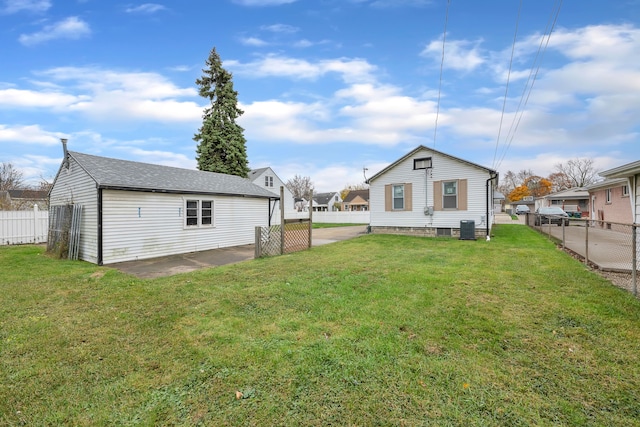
{"points": [[379, 330]]}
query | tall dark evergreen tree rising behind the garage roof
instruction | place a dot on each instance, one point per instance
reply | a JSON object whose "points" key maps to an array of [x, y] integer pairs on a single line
{"points": [[221, 143]]}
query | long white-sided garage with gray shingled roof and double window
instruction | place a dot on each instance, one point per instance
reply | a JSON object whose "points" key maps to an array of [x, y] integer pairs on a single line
{"points": [[133, 210]]}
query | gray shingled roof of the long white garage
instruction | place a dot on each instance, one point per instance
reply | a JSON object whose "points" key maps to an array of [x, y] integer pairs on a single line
{"points": [[125, 174]]}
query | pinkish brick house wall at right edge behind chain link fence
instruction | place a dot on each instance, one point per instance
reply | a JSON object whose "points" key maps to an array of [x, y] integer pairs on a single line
{"points": [[611, 201]]}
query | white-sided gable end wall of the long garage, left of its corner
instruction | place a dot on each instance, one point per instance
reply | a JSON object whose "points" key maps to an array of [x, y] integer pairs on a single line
{"points": [[74, 186]]}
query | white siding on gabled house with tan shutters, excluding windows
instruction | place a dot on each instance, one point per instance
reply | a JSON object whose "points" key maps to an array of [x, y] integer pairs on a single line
{"points": [[444, 168]]}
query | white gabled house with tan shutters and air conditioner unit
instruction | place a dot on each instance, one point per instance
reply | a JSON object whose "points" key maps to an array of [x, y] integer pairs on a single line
{"points": [[430, 193]]}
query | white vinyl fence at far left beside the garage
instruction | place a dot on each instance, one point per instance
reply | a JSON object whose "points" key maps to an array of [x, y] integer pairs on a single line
{"points": [[22, 227]]}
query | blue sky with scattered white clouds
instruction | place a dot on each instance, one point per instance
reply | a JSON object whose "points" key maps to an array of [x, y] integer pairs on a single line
{"points": [[328, 87]]}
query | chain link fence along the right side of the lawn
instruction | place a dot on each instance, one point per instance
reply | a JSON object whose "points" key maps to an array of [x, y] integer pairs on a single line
{"points": [[610, 247]]}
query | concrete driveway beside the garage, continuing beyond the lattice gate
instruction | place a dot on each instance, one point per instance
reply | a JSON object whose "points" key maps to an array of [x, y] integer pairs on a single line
{"points": [[184, 263]]}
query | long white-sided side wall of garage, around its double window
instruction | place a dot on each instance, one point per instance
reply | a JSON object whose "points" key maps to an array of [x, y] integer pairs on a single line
{"points": [[139, 225]]}
